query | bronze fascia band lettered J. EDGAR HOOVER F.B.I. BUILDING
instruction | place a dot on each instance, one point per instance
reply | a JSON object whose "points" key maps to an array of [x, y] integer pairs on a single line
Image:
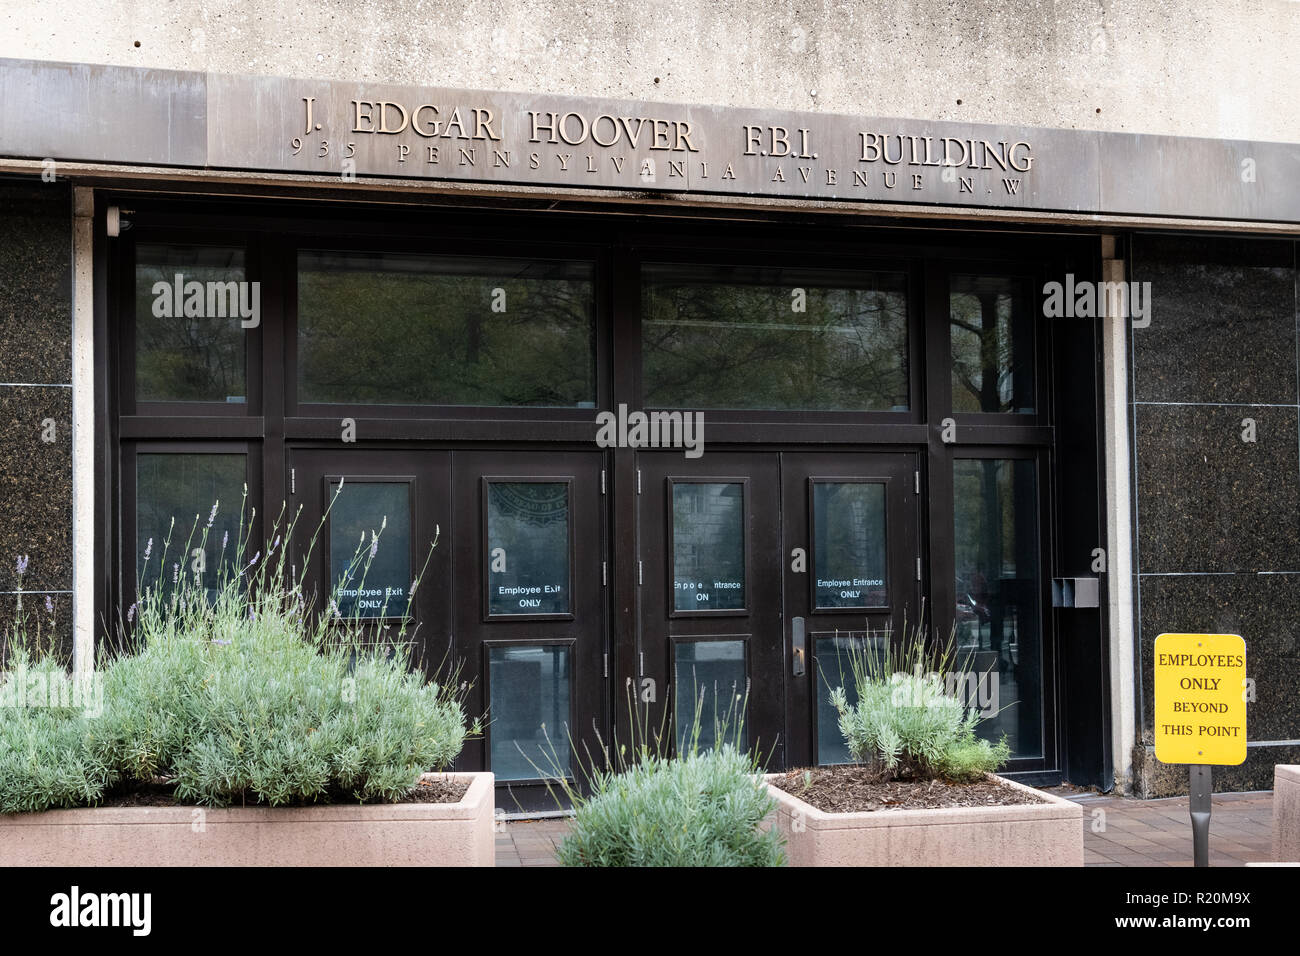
{"points": [[350, 131]]}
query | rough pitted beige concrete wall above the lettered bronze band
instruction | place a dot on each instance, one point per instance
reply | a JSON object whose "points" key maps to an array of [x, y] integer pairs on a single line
{"points": [[1172, 67]]}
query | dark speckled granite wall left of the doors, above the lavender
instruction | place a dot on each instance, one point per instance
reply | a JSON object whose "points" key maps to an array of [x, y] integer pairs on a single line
{"points": [[36, 386]]}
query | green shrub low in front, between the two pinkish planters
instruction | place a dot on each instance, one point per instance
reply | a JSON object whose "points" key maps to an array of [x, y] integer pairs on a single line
{"points": [[703, 810]]}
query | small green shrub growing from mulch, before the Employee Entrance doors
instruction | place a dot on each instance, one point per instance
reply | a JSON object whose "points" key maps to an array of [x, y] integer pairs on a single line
{"points": [[907, 723]]}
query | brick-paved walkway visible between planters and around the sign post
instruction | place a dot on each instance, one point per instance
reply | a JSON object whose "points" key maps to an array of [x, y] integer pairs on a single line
{"points": [[1117, 832]]}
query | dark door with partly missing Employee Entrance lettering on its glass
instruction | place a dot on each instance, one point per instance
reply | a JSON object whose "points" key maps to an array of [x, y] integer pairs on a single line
{"points": [[710, 641]]}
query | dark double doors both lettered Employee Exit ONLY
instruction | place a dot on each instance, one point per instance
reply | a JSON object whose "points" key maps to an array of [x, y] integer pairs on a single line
{"points": [[512, 600]]}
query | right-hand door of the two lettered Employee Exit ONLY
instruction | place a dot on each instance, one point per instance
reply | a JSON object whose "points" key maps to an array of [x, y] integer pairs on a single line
{"points": [[530, 553]]}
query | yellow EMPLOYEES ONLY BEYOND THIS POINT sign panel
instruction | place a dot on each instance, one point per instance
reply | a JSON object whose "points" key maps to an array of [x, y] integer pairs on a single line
{"points": [[1201, 699]]}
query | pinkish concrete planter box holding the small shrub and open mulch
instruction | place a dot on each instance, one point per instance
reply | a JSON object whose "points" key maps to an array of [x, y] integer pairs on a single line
{"points": [[1047, 834]]}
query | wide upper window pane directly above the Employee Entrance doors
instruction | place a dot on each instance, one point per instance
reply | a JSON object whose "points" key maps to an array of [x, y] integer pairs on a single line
{"points": [[730, 339]]}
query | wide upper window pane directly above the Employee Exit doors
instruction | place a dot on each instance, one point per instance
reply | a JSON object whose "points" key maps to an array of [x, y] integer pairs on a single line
{"points": [[423, 331]]}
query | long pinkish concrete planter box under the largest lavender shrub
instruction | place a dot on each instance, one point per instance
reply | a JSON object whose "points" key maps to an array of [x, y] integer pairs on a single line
{"points": [[456, 834]]}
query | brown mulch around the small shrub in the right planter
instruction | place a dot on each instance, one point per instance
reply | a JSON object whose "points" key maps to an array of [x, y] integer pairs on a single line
{"points": [[859, 790]]}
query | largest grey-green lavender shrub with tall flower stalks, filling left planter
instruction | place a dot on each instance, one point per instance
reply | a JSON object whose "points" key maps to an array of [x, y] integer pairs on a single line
{"points": [[237, 697]]}
